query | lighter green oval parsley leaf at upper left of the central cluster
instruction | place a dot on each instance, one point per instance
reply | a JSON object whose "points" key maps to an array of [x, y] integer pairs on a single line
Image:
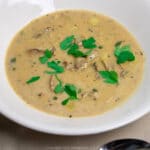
{"points": [[67, 42]]}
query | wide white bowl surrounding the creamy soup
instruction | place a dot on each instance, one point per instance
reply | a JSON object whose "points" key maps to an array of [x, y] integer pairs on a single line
{"points": [[14, 14]]}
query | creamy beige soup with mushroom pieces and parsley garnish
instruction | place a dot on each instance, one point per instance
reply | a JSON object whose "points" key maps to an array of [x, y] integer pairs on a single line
{"points": [[74, 63]]}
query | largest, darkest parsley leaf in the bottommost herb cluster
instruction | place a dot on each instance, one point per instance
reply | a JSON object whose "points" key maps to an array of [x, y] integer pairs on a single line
{"points": [[71, 90]]}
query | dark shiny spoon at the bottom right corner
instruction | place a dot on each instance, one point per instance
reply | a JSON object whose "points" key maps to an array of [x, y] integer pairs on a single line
{"points": [[126, 144]]}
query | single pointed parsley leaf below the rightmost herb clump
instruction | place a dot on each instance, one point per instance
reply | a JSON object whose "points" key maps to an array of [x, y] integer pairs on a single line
{"points": [[110, 77]]}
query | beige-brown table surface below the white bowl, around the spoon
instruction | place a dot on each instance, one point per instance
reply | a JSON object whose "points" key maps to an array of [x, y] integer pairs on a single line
{"points": [[16, 137]]}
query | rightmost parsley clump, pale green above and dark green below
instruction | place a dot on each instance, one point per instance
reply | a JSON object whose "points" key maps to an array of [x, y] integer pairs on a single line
{"points": [[123, 53]]}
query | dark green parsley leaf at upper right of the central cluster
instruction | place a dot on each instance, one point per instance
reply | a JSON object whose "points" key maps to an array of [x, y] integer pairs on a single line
{"points": [[89, 43]]}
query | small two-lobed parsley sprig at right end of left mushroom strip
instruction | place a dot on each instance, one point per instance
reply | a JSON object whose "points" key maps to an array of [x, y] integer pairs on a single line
{"points": [[47, 54]]}
